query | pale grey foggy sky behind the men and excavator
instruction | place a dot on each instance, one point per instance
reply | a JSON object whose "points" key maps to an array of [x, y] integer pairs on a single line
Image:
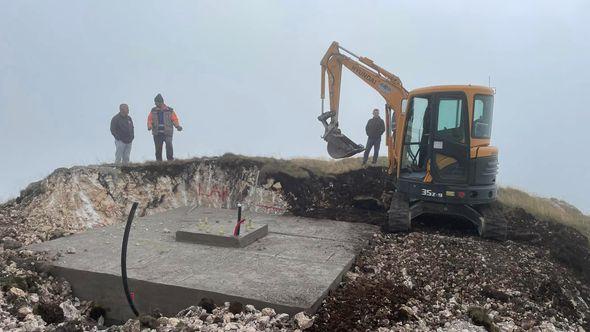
{"points": [[244, 77]]}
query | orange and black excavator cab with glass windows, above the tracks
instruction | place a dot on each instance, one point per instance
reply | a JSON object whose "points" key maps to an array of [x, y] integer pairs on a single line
{"points": [[446, 141]]}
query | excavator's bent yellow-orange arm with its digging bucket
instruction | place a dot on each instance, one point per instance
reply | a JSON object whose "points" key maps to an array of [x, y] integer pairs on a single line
{"points": [[385, 83]]}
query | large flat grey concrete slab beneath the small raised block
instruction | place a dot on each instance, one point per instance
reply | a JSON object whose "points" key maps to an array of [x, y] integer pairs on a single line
{"points": [[291, 269]]}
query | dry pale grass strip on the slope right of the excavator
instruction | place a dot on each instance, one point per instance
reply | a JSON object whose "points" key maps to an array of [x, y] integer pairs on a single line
{"points": [[546, 208]]}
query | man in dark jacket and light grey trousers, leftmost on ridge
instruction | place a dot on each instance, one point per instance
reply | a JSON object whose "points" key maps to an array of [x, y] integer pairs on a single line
{"points": [[122, 130]]}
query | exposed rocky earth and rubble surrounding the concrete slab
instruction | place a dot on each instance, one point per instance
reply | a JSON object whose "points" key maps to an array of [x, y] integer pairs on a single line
{"points": [[439, 277]]}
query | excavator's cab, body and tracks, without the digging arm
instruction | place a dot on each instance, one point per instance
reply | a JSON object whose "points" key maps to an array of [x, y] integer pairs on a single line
{"points": [[448, 166]]}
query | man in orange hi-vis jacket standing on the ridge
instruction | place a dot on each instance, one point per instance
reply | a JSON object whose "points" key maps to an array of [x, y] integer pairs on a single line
{"points": [[161, 121]]}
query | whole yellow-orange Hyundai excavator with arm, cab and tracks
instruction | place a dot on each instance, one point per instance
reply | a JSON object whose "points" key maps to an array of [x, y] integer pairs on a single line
{"points": [[438, 144]]}
